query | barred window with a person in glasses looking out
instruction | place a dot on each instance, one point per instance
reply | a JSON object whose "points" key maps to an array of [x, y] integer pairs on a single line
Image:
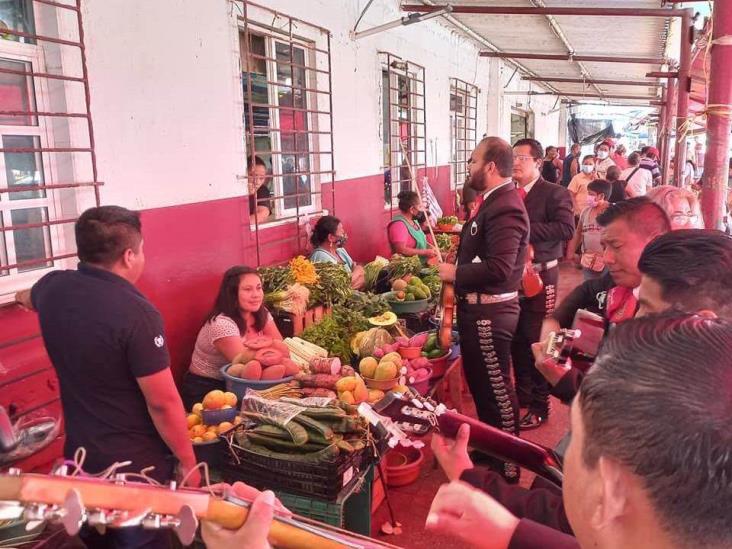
{"points": [[287, 90]]}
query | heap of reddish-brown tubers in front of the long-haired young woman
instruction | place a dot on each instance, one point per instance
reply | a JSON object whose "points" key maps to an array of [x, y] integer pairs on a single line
{"points": [[263, 359]]}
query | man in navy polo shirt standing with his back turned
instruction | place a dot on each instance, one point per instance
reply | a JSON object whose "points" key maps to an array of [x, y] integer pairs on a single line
{"points": [[107, 345]]}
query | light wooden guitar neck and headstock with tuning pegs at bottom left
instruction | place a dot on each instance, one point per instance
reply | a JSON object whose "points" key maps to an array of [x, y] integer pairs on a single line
{"points": [[117, 502]]}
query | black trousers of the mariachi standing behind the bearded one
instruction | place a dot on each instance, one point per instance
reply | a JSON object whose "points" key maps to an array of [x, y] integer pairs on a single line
{"points": [[531, 387]]}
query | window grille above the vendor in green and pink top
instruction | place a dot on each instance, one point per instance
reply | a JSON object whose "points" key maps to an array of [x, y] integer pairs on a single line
{"points": [[403, 123]]}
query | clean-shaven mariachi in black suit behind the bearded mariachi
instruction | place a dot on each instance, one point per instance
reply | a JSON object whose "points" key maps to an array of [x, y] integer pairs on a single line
{"points": [[552, 223]]}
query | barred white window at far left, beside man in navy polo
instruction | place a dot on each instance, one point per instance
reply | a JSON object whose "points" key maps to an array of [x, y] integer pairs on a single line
{"points": [[48, 170]]}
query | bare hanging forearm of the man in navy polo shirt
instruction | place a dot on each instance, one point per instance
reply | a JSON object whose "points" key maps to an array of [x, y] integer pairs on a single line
{"points": [[168, 415]]}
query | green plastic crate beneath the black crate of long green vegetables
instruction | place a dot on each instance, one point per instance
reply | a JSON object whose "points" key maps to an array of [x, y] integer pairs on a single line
{"points": [[351, 510]]}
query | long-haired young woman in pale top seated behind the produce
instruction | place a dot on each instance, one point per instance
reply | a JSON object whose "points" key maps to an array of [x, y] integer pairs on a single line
{"points": [[238, 314]]}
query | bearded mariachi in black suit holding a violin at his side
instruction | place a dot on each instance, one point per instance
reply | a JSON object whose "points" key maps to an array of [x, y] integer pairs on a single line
{"points": [[490, 263]]}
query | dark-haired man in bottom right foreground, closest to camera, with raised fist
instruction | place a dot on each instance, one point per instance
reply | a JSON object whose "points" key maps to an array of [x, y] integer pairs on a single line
{"points": [[648, 463]]}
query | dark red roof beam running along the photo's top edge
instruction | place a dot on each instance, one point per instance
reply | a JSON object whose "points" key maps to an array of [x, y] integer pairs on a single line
{"points": [[523, 10]]}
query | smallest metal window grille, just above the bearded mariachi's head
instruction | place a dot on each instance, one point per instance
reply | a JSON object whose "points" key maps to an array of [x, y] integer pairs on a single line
{"points": [[463, 122]]}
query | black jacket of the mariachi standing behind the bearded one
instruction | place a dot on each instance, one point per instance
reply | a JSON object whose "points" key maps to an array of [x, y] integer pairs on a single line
{"points": [[551, 217]]}
